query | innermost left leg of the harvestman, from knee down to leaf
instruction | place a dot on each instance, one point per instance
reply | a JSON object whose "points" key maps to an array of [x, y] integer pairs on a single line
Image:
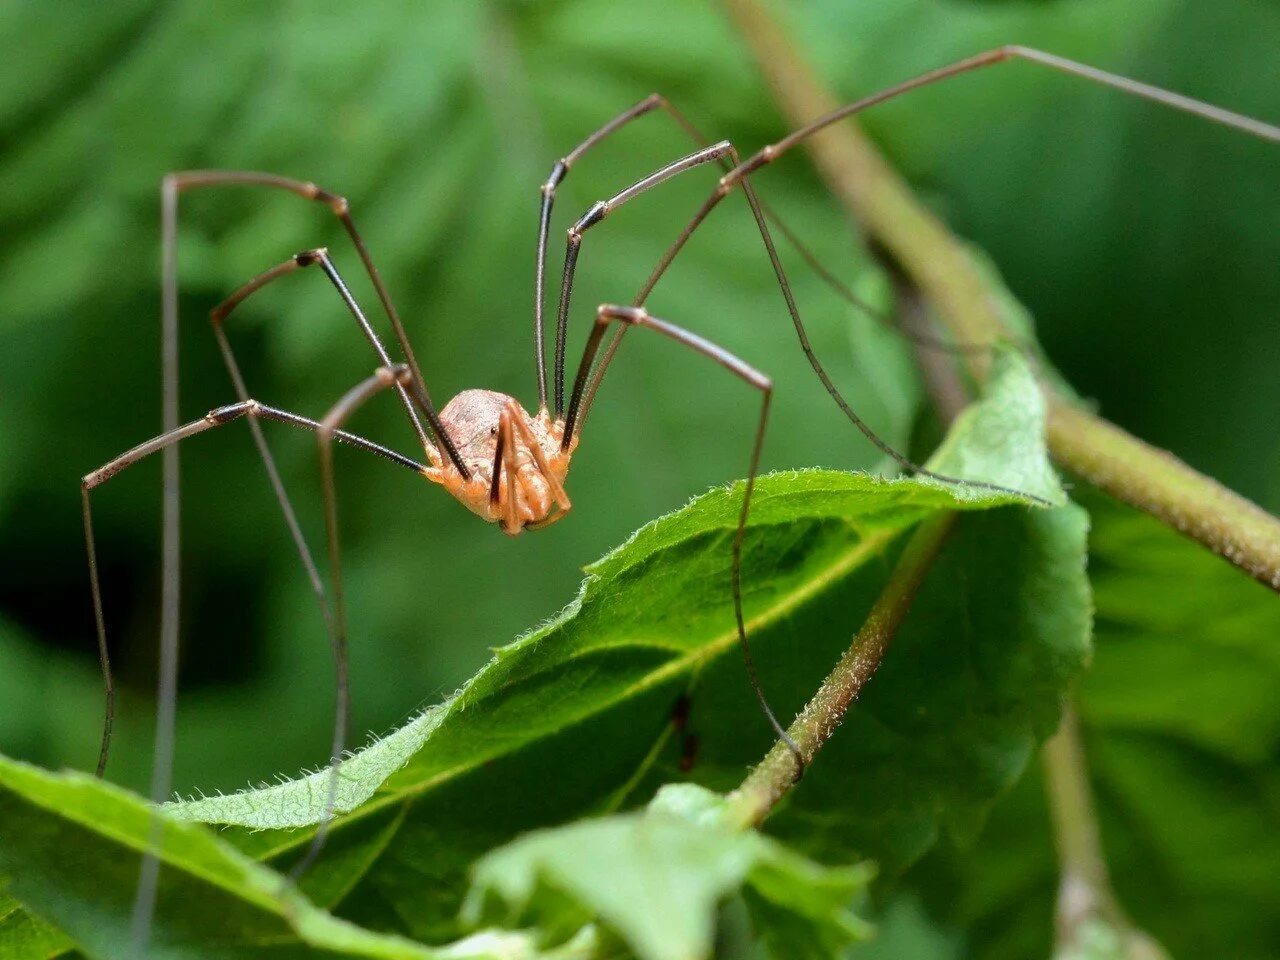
{"points": [[327, 432]]}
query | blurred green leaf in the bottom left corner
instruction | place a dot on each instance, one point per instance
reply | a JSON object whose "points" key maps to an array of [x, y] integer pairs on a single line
{"points": [[71, 849]]}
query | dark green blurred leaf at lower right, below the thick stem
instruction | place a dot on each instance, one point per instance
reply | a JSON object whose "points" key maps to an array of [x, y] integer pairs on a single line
{"points": [[1182, 729]]}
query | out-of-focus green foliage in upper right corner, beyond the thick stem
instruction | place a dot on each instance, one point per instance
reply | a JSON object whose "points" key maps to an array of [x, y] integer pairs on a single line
{"points": [[1141, 240]]}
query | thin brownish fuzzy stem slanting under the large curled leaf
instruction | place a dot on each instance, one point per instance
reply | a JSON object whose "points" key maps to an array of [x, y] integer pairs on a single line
{"points": [[778, 772]]}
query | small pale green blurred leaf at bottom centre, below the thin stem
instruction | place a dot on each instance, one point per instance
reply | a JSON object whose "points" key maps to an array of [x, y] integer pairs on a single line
{"points": [[657, 877]]}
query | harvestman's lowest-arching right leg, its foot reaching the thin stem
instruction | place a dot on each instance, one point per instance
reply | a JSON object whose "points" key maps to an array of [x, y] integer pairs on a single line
{"points": [[637, 317]]}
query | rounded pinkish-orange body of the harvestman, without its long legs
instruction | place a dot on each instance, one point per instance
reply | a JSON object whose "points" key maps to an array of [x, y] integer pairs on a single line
{"points": [[515, 461]]}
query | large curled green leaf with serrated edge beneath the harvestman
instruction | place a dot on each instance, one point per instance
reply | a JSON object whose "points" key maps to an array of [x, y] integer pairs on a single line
{"points": [[575, 719]]}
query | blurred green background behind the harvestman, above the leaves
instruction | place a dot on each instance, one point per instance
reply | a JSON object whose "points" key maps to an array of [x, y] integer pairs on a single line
{"points": [[1145, 243]]}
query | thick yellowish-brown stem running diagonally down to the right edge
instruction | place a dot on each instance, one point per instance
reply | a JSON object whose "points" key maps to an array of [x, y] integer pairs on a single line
{"points": [[968, 303]]}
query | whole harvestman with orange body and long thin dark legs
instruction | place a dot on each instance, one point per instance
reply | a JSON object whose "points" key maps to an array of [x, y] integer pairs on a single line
{"points": [[502, 463]]}
